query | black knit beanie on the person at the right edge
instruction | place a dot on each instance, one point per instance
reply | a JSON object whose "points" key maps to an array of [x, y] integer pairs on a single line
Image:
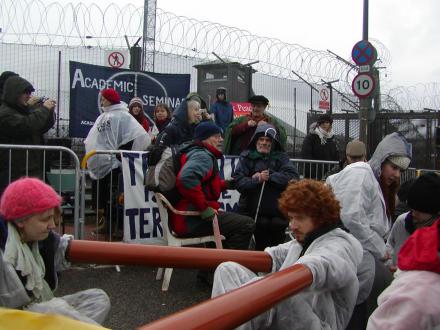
{"points": [[424, 195]]}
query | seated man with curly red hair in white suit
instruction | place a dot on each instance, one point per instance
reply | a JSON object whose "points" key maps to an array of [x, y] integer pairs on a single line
{"points": [[323, 246]]}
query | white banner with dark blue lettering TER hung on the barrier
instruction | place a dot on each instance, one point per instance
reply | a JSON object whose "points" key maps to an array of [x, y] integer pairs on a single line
{"points": [[141, 214]]}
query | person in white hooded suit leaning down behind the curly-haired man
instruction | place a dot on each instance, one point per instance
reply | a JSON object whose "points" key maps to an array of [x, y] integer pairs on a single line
{"points": [[367, 193]]}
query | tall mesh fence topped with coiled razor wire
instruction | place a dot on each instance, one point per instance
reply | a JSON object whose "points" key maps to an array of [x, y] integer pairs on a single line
{"points": [[38, 39]]}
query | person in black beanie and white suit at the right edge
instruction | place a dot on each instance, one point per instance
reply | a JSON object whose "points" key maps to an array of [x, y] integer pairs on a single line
{"points": [[424, 203]]}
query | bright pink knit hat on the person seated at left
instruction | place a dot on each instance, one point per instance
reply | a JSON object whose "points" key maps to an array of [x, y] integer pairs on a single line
{"points": [[27, 196]]}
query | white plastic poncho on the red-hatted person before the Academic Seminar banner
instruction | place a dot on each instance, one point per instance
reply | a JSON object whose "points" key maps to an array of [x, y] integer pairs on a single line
{"points": [[114, 128]]}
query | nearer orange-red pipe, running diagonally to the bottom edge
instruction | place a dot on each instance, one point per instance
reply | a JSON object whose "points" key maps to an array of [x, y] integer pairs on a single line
{"points": [[239, 306]]}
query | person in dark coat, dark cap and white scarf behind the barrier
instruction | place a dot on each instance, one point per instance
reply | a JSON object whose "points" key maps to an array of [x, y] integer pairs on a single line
{"points": [[319, 144]]}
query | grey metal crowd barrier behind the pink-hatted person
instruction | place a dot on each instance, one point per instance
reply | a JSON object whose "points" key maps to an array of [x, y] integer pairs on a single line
{"points": [[58, 179]]}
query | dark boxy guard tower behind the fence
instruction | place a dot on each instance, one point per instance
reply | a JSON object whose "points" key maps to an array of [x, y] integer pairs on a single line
{"points": [[235, 77]]}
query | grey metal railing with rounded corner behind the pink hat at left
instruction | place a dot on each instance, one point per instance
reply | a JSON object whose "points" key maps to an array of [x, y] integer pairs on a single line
{"points": [[10, 148]]}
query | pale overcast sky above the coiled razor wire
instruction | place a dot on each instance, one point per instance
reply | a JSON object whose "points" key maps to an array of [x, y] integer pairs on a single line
{"points": [[408, 28]]}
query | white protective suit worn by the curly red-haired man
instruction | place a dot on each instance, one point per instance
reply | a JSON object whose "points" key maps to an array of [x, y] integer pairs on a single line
{"points": [[328, 303]]}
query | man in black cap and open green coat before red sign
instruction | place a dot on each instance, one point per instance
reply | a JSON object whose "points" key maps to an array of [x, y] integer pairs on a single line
{"points": [[240, 131]]}
